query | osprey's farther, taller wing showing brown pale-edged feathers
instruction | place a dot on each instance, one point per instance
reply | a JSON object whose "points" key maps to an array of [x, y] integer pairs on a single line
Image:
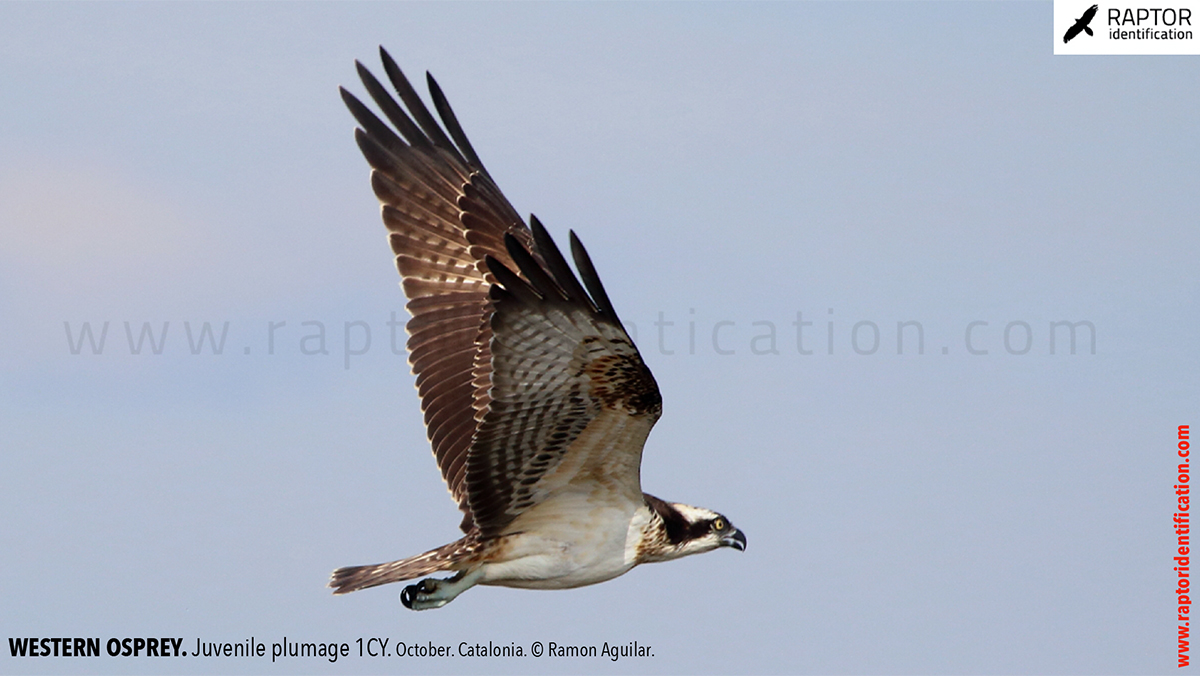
{"points": [[446, 217]]}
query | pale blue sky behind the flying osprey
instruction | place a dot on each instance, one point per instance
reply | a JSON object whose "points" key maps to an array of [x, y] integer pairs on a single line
{"points": [[729, 166]]}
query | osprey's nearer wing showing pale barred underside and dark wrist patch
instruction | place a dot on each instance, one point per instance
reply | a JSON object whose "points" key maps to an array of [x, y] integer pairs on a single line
{"points": [[572, 399]]}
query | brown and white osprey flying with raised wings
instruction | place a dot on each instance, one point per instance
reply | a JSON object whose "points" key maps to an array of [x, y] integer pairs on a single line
{"points": [[536, 399]]}
